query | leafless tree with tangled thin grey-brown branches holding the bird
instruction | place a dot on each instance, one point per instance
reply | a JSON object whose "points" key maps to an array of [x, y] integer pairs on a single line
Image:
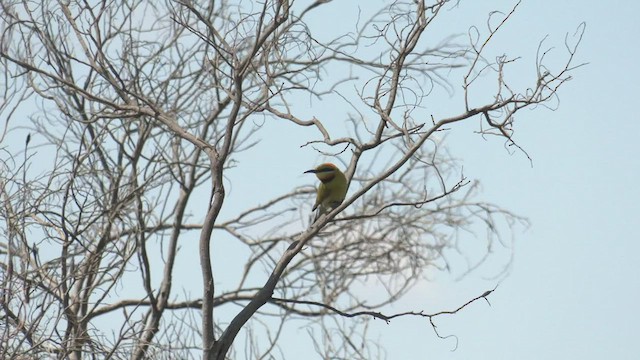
{"points": [[139, 112]]}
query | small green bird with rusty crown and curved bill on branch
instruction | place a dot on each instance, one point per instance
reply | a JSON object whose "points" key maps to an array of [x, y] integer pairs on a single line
{"points": [[332, 189]]}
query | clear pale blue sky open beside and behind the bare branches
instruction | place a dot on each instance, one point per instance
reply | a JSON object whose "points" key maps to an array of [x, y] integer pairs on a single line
{"points": [[574, 285]]}
